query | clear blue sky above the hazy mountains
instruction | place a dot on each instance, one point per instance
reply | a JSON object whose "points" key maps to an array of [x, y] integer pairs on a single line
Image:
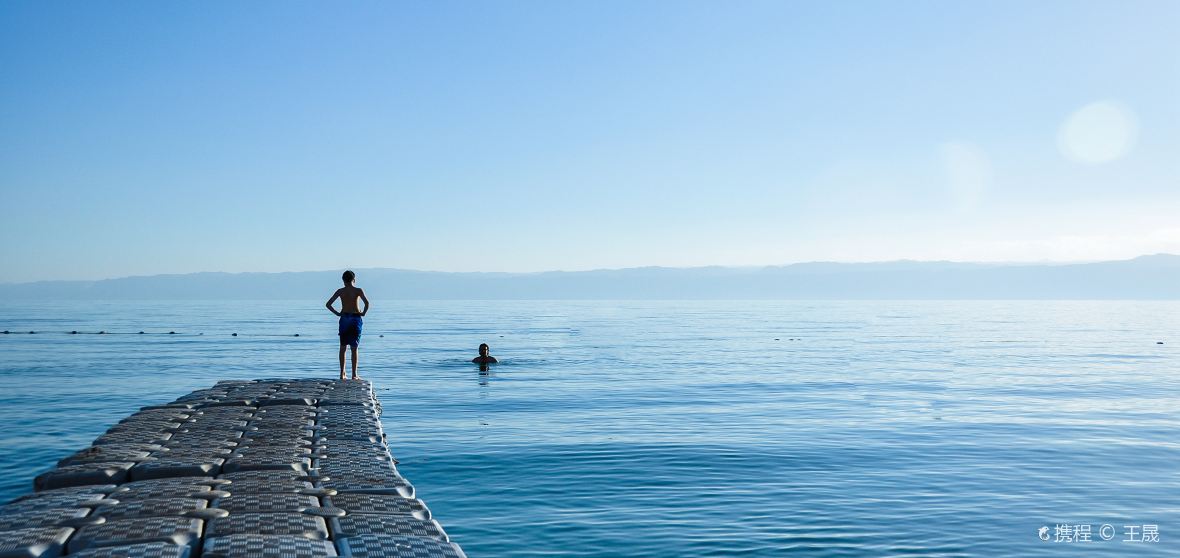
{"points": [[142, 139]]}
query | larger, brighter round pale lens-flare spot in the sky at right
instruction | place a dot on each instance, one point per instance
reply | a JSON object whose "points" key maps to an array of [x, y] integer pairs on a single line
{"points": [[1098, 133]]}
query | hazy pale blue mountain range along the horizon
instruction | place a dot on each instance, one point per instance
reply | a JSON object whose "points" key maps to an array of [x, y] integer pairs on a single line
{"points": [[1144, 278]]}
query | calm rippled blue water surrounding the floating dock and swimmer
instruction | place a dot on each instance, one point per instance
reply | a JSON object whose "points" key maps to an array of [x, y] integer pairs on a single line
{"points": [[684, 429]]}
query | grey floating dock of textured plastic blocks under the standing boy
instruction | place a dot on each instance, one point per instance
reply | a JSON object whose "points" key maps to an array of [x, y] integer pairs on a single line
{"points": [[284, 469]]}
